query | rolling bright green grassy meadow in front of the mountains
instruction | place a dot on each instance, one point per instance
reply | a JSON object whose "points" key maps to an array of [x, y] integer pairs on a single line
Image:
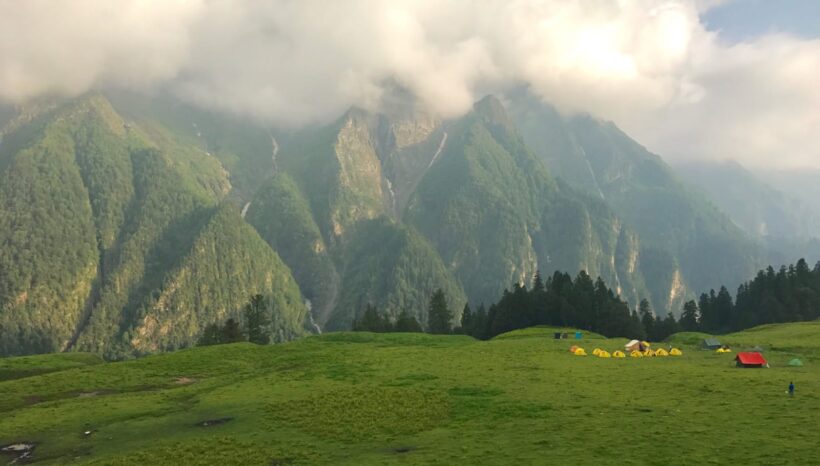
{"points": [[363, 398]]}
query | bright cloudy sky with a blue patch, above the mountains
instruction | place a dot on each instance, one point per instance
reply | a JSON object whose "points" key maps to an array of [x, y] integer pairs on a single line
{"points": [[690, 79]]}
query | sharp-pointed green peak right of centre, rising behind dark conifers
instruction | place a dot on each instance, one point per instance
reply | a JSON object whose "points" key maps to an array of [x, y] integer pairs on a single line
{"points": [[496, 215]]}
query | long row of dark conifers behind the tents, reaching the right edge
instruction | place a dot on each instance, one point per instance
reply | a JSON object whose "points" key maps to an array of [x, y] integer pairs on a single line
{"points": [[792, 294]]}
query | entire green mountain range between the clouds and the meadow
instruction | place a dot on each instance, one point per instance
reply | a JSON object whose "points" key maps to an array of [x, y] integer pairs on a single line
{"points": [[129, 227]]}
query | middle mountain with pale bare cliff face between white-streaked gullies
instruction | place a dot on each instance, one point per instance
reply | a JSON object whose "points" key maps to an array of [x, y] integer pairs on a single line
{"points": [[329, 209]]}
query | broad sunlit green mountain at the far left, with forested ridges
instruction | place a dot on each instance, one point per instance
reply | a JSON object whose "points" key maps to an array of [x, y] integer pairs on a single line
{"points": [[97, 216]]}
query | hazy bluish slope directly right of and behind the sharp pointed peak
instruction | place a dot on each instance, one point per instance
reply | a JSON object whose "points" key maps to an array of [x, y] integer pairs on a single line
{"points": [[679, 230]]}
